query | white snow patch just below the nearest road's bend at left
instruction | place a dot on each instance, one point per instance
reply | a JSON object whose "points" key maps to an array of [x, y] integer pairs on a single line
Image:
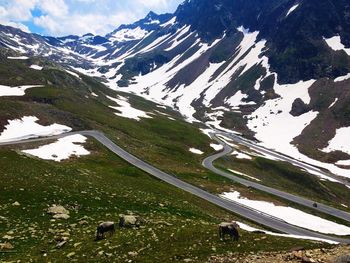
{"points": [[61, 150]]}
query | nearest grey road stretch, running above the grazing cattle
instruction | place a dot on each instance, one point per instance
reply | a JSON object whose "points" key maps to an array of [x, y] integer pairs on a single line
{"points": [[236, 208]]}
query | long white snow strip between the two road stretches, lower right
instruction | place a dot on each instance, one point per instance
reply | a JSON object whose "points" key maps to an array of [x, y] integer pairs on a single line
{"points": [[291, 215]]}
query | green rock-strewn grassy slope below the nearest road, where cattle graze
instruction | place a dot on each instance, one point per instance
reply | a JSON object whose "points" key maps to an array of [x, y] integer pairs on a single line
{"points": [[97, 188]]}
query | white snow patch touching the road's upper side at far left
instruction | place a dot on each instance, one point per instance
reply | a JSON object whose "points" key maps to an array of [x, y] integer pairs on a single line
{"points": [[27, 127]]}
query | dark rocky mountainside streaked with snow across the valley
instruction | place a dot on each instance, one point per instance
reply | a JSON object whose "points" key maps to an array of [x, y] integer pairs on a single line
{"points": [[275, 70]]}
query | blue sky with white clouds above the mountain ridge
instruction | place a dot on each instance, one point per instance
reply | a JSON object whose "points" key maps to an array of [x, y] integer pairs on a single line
{"points": [[65, 17]]}
